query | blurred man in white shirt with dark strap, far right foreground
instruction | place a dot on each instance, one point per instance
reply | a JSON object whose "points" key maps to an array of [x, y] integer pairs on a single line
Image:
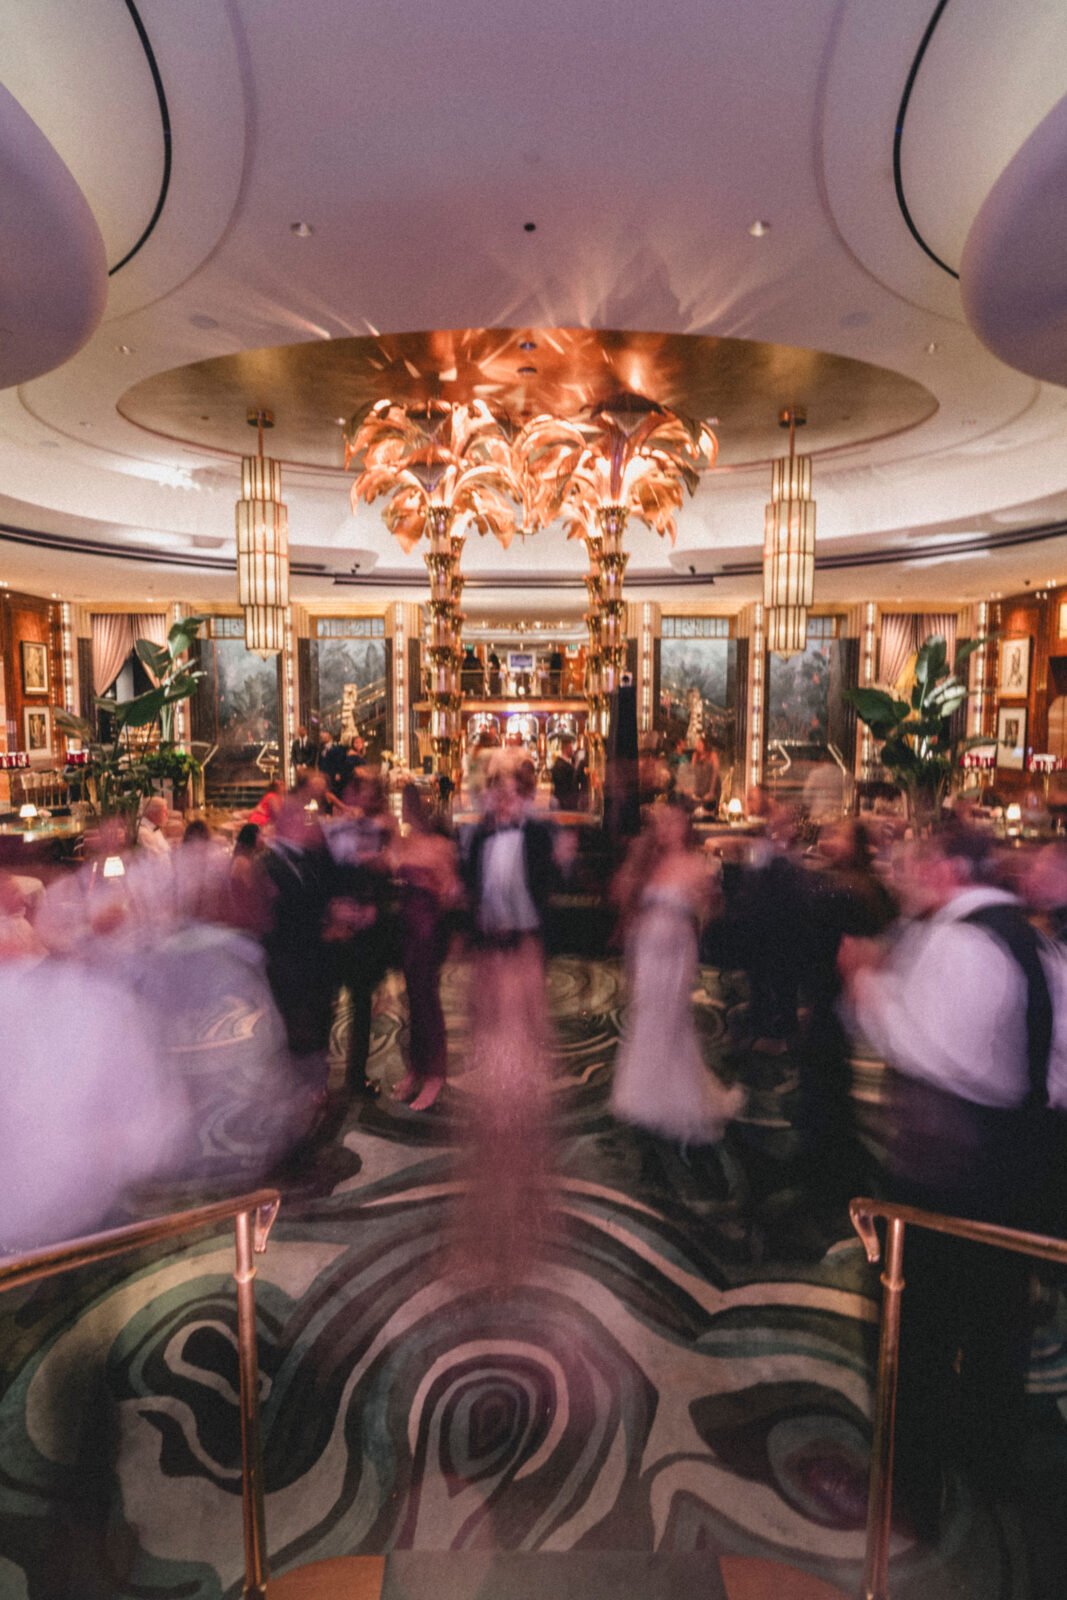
{"points": [[962, 1010]]}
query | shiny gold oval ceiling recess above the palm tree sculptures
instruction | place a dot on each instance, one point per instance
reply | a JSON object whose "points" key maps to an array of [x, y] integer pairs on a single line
{"points": [[738, 383]]}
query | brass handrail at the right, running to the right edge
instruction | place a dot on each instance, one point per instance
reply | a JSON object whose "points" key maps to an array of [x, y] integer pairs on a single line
{"points": [[898, 1217]]}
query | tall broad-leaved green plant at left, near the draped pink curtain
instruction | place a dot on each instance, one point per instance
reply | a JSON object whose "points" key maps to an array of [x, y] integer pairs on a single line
{"points": [[118, 775]]}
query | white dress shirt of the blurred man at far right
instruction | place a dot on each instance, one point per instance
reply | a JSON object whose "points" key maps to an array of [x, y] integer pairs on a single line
{"points": [[949, 1007]]}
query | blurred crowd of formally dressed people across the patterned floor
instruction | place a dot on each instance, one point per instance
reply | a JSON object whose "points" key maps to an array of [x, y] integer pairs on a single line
{"points": [[945, 954]]}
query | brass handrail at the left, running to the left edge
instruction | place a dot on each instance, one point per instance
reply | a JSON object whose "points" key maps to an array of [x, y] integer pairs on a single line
{"points": [[254, 1217]]}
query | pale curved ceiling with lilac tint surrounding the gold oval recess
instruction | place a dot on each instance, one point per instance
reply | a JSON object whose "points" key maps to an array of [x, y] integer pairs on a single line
{"points": [[418, 145]]}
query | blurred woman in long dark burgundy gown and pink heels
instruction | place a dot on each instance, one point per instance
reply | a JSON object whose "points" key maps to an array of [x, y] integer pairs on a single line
{"points": [[425, 863]]}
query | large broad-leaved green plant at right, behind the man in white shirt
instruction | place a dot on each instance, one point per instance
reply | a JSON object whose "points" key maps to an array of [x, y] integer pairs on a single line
{"points": [[921, 751]]}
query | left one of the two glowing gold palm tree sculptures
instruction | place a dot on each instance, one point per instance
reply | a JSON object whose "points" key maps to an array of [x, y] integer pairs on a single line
{"points": [[438, 463]]}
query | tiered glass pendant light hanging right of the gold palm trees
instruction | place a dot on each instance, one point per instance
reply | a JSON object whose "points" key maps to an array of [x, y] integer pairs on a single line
{"points": [[789, 546]]}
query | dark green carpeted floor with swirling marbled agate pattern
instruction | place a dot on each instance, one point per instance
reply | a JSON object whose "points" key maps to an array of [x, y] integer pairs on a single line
{"points": [[669, 1393]]}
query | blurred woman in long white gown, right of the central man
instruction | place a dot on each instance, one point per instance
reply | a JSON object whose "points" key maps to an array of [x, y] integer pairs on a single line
{"points": [[661, 1082]]}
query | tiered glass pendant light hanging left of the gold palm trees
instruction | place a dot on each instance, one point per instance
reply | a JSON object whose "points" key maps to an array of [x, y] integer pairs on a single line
{"points": [[263, 548]]}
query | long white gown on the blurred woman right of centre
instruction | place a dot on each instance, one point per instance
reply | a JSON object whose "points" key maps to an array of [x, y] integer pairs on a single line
{"points": [[661, 1082]]}
